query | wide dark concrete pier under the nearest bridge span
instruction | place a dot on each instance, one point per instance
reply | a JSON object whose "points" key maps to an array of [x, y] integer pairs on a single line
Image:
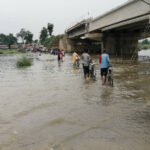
{"points": [[123, 44]]}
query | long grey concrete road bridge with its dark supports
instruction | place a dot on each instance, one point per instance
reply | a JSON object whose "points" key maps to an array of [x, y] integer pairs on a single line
{"points": [[118, 30]]}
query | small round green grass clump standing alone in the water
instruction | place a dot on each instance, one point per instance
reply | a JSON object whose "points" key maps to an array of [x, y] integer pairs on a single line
{"points": [[23, 62]]}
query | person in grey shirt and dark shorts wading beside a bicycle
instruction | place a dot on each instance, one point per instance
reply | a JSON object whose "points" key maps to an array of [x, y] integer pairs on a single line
{"points": [[86, 62]]}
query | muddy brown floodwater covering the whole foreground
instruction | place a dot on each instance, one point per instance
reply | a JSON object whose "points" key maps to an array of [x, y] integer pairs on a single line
{"points": [[49, 106]]}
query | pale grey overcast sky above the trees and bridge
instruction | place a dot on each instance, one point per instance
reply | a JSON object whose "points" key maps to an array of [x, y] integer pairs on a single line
{"points": [[34, 14]]}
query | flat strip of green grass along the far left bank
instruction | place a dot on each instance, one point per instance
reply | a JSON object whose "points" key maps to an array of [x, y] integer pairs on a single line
{"points": [[11, 51]]}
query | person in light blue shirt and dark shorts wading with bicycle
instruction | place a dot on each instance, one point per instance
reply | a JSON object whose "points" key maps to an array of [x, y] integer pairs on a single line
{"points": [[104, 65]]}
